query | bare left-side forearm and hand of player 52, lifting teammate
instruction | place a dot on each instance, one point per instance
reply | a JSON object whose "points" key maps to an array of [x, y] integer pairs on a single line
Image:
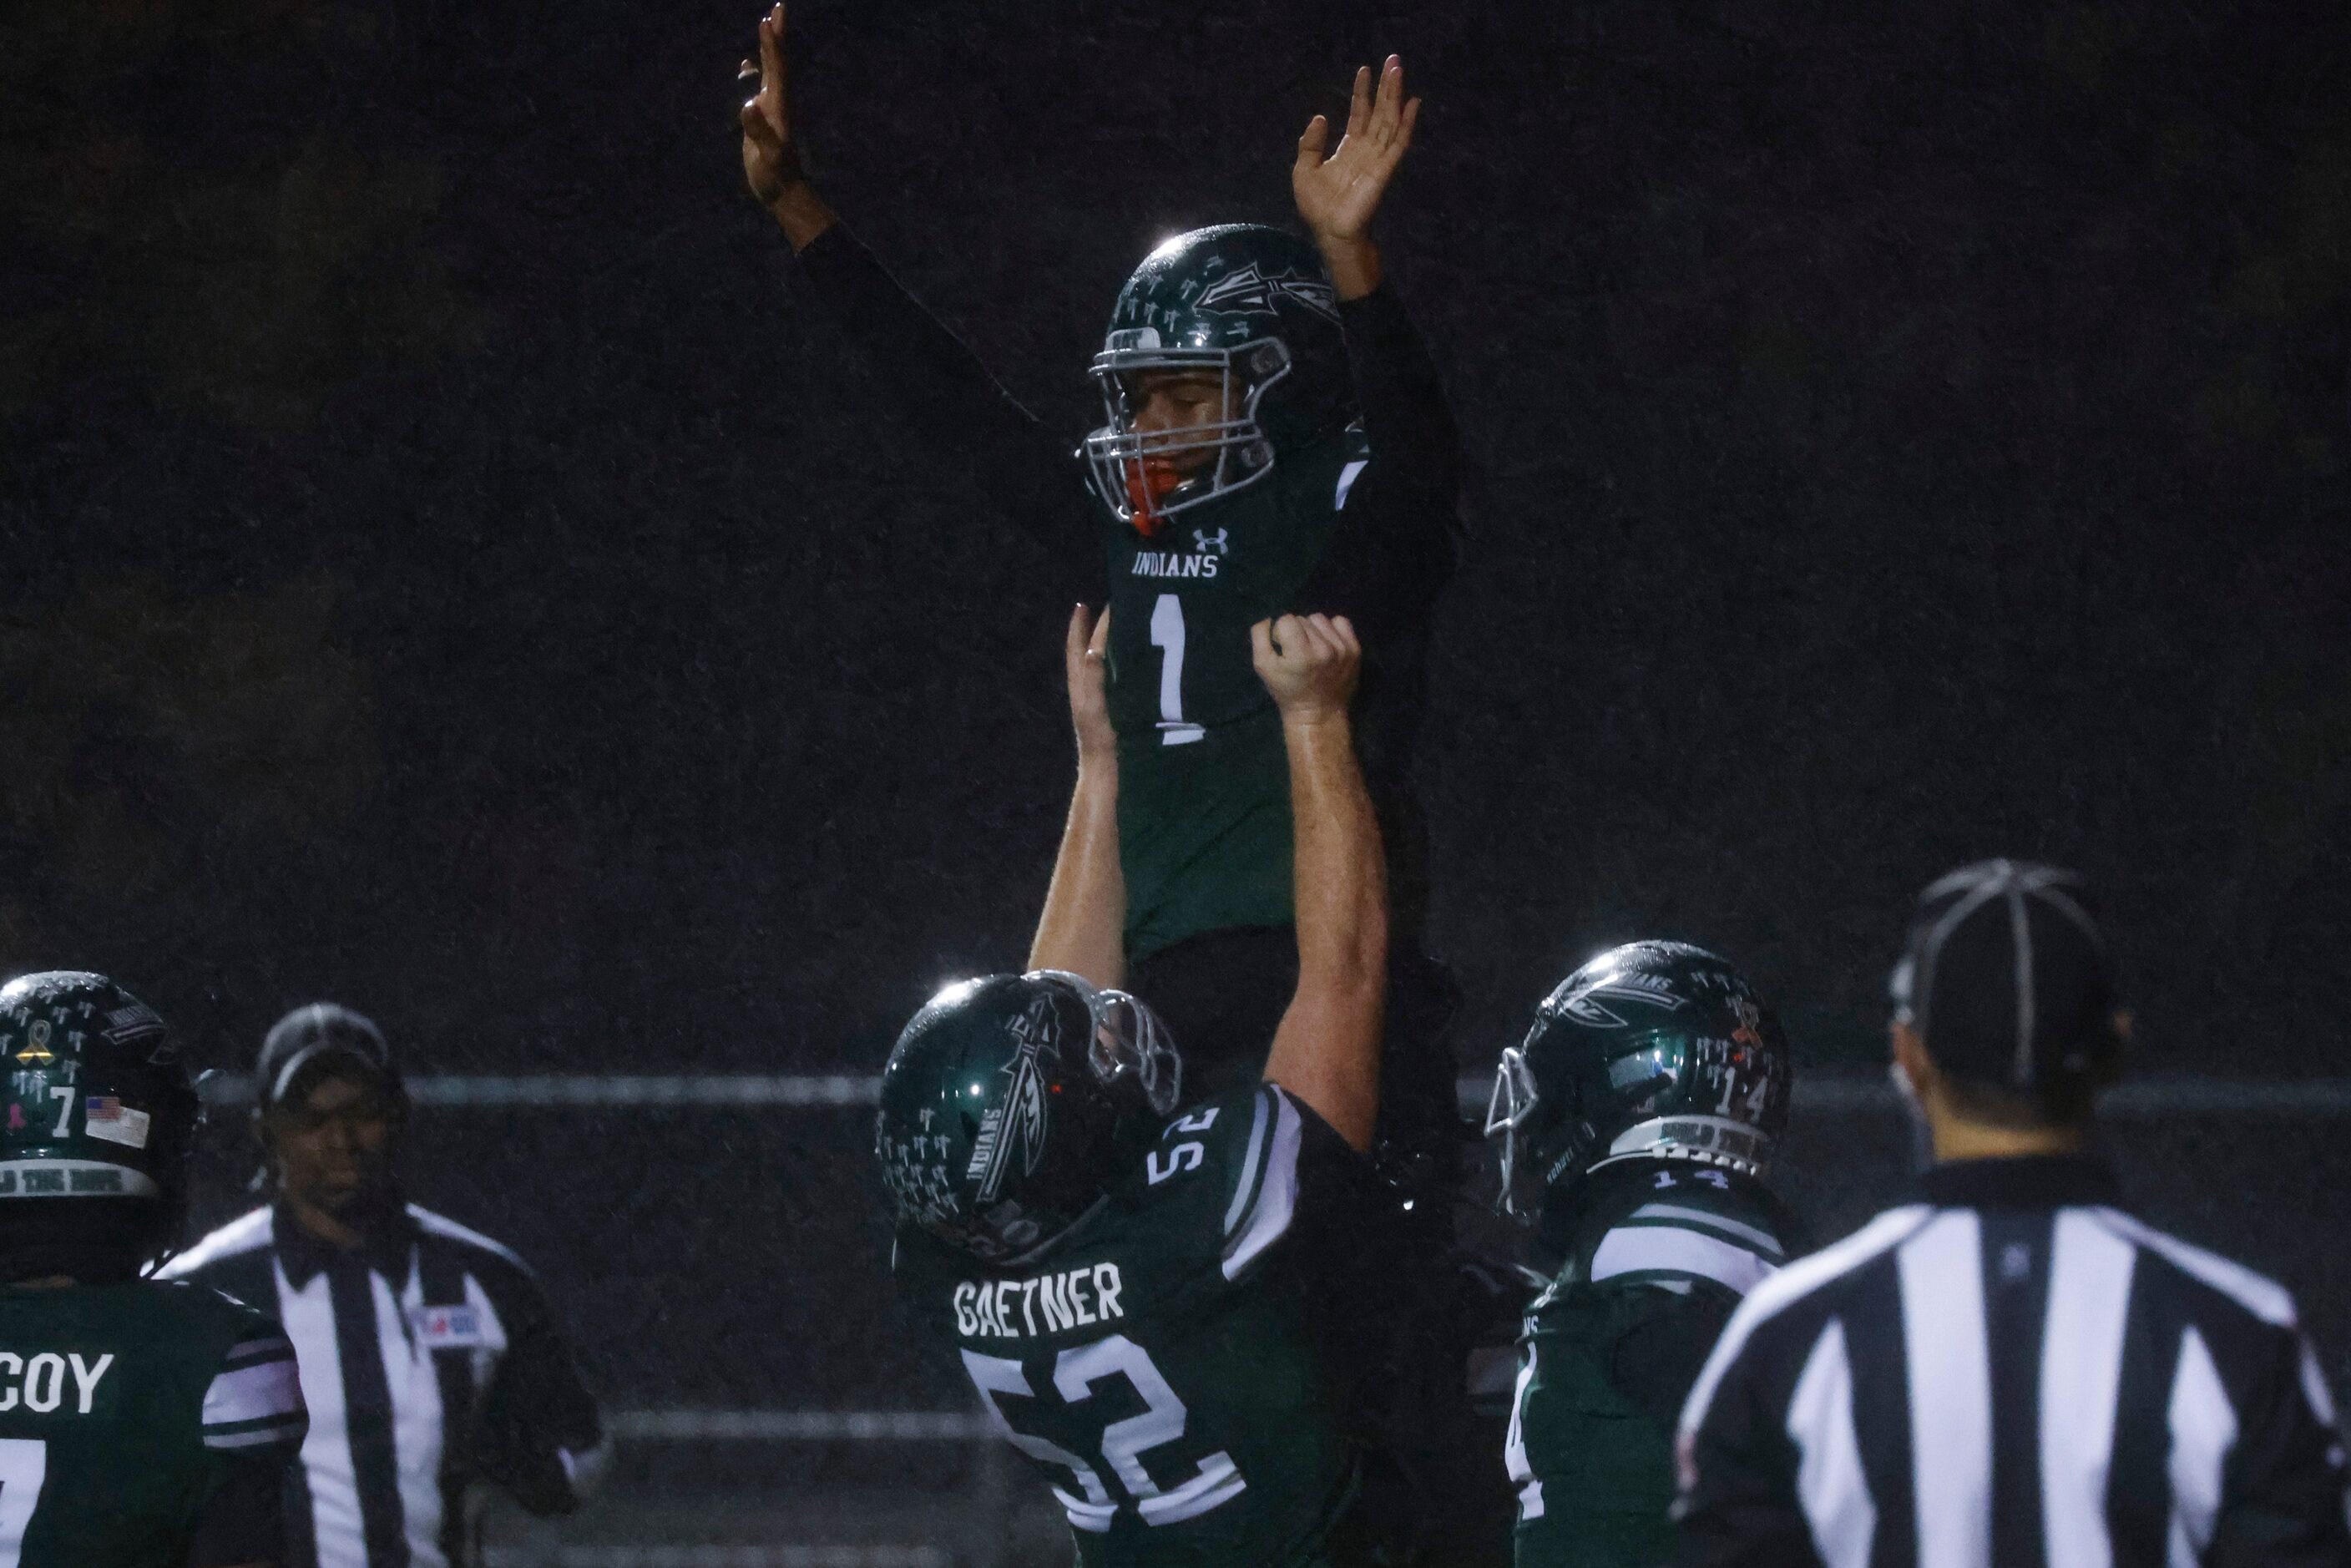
{"points": [[1085, 913]]}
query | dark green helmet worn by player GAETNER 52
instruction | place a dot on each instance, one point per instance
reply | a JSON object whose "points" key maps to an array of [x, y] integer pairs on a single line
{"points": [[1007, 1104]]}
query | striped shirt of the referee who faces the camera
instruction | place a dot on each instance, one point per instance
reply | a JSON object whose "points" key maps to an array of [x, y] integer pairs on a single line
{"points": [[429, 1362]]}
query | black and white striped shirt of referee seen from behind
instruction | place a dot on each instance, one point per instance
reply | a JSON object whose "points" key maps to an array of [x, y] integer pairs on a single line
{"points": [[2014, 1374]]}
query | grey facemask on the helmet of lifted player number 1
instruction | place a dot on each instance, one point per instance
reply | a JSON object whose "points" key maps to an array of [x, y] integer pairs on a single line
{"points": [[1137, 471]]}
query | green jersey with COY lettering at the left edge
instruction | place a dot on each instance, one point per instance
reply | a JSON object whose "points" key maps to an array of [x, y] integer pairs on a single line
{"points": [[126, 1412]]}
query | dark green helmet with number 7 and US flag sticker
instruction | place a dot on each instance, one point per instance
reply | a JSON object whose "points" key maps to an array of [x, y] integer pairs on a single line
{"points": [[98, 1106]]}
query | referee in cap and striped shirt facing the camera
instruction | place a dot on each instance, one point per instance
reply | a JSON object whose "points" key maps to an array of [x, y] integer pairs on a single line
{"points": [[429, 1355]]}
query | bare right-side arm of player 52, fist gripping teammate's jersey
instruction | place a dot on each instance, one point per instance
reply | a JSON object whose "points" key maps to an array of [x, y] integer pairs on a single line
{"points": [[1327, 1050]]}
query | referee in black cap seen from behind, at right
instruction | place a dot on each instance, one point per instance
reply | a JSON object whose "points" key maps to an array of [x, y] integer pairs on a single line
{"points": [[2011, 1372]]}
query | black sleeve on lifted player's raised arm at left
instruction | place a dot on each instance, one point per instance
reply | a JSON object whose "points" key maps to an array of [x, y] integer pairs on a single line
{"points": [[991, 443]]}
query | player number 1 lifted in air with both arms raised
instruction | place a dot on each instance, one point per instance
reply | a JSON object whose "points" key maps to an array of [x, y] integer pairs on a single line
{"points": [[1273, 441]]}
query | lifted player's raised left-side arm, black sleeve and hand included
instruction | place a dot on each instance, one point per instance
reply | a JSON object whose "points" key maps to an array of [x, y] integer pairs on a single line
{"points": [[993, 448]]}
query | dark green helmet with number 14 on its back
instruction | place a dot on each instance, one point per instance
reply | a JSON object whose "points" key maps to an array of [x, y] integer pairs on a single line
{"points": [[1649, 1052]]}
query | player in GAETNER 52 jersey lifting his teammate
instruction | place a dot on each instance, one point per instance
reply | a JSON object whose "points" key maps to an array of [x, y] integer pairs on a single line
{"points": [[1134, 1287]]}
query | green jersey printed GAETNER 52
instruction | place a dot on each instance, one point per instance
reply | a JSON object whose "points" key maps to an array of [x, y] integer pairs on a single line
{"points": [[1163, 1365]]}
